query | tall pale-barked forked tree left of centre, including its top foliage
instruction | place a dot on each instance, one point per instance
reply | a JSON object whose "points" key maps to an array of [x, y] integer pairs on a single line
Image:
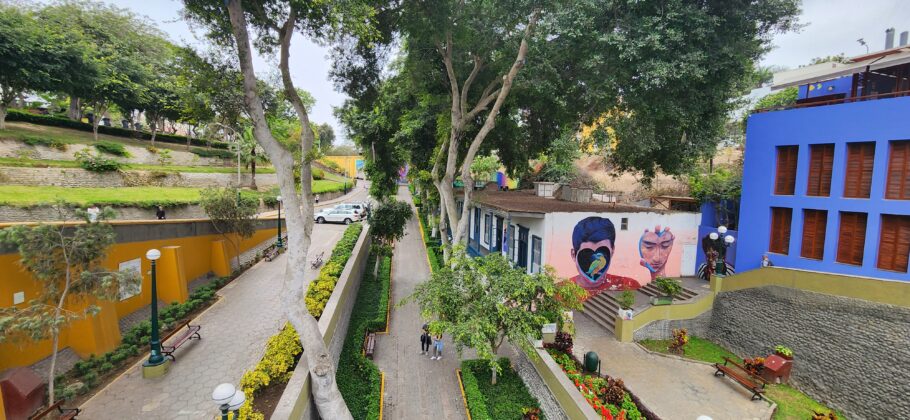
{"points": [[276, 22]]}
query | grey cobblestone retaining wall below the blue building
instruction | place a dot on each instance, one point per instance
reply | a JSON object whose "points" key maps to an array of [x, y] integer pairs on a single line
{"points": [[852, 354]]}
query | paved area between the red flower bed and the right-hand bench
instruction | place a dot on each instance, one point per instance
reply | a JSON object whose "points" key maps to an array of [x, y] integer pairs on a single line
{"points": [[671, 388]]}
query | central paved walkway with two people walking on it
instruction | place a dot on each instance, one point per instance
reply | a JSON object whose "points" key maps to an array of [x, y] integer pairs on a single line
{"points": [[415, 386]]}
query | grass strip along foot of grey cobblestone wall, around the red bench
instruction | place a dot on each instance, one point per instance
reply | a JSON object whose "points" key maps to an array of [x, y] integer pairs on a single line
{"points": [[791, 403]]}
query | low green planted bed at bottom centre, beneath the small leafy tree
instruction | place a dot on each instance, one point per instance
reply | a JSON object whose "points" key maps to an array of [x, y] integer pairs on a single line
{"points": [[508, 399]]}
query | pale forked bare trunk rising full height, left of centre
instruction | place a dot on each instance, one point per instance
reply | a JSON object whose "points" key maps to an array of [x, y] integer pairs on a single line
{"points": [[326, 396]]}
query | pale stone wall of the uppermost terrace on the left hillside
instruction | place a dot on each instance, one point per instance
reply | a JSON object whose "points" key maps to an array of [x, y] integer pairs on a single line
{"points": [[16, 149]]}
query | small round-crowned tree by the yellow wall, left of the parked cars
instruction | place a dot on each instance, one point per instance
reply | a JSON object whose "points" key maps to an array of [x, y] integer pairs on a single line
{"points": [[232, 214]]}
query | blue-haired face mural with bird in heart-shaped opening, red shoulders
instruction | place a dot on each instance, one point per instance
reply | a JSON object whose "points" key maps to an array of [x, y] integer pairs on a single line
{"points": [[593, 244]]}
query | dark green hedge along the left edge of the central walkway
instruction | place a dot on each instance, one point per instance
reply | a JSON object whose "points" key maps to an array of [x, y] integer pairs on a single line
{"points": [[358, 378]]}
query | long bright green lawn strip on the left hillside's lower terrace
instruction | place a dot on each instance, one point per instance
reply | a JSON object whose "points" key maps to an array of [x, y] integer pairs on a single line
{"points": [[27, 196]]}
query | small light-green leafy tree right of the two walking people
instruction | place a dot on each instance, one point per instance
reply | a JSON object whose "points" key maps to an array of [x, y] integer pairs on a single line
{"points": [[483, 301]]}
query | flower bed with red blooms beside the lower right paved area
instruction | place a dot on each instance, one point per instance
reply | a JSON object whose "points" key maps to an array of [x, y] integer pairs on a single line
{"points": [[606, 395]]}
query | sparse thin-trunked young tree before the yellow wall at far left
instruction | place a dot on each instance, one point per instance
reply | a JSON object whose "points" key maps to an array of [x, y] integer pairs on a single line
{"points": [[65, 259]]}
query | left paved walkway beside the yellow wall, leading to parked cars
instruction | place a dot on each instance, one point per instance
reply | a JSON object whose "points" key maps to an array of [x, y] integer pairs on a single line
{"points": [[234, 332]]}
